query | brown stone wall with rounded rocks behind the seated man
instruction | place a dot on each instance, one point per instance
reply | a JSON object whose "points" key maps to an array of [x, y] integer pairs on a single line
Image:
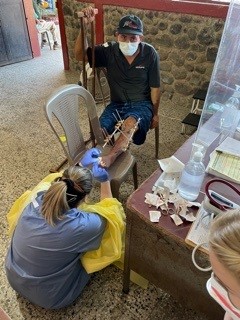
{"points": [[187, 44]]}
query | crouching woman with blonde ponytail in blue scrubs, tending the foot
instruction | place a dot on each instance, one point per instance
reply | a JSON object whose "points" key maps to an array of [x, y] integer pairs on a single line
{"points": [[43, 262]]}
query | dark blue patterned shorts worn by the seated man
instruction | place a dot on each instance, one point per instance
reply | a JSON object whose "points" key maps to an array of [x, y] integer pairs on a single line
{"points": [[139, 109]]}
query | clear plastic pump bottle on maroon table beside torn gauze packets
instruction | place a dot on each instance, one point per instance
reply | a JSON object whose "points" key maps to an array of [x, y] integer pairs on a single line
{"points": [[192, 177]]}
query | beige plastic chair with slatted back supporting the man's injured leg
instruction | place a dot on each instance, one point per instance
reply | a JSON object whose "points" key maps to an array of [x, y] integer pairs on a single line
{"points": [[71, 113]]}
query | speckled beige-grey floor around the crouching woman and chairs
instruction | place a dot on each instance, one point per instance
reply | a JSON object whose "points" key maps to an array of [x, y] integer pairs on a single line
{"points": [[29, 149]]}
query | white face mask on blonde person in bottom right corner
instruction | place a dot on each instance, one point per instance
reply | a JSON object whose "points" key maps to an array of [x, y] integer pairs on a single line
{"points": [[220, 294]]}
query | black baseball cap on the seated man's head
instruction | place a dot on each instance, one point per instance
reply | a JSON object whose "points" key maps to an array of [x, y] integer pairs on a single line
{"points": [[130, 25]]}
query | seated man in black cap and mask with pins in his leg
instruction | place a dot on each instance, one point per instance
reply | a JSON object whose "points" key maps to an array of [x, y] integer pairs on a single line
{"points": [[134, 81]]}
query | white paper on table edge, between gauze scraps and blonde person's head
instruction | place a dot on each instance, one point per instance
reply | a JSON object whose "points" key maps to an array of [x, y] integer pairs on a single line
{"points": [[199, 231]]}
